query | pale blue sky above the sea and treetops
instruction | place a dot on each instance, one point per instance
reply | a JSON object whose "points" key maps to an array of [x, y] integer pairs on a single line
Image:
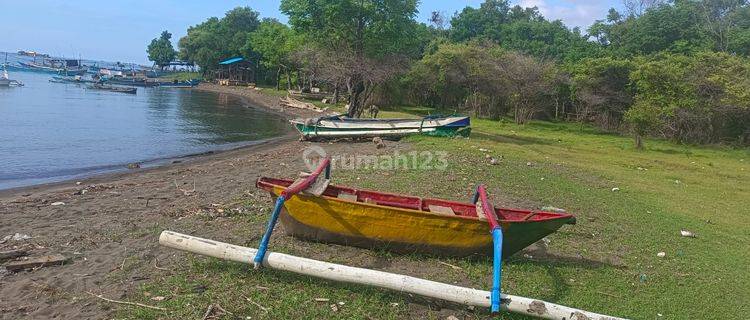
{"points": [[121, 30]]}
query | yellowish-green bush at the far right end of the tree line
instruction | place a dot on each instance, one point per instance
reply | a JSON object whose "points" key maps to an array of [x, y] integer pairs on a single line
{"points": [[691, 98]]}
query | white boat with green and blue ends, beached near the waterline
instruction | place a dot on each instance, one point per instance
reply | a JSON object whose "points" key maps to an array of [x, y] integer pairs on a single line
{"points": [[343, 127]]}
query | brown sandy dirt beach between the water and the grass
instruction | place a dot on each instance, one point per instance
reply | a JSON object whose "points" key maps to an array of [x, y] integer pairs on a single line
{"points": [[108, 225]]}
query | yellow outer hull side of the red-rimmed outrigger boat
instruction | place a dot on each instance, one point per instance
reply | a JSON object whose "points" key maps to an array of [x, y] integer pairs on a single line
{"points": [[333, 220]]}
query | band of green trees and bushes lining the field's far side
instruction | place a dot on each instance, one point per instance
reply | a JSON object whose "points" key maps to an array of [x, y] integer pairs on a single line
{"points": [[674, 69]]}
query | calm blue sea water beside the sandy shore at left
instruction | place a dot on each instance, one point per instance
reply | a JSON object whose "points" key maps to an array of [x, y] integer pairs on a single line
{"points": [[53, 132]]}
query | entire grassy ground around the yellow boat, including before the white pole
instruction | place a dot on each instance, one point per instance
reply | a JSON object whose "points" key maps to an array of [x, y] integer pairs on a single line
{"points": [[607, 263]]}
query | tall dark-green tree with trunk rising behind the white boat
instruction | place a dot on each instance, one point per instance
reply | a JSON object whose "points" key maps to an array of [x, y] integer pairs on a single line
{"points": [[366, 30]]}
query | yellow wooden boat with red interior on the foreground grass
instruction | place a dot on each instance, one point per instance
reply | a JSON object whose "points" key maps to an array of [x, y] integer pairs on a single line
{"points": [[373, 219]]}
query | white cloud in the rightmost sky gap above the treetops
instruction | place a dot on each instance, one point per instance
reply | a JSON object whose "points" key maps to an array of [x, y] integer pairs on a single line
{"points": [[574, 13]]}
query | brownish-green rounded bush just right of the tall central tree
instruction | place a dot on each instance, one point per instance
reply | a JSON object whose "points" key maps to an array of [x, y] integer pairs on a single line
{"points": [[485, 79]]}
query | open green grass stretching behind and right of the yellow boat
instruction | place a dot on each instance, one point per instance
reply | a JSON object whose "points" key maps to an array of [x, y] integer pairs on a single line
{"points": [[608, 261]]}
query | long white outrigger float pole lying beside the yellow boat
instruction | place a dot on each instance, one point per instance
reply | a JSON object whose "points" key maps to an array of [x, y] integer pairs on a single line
{"points": [[402, 283]]}
